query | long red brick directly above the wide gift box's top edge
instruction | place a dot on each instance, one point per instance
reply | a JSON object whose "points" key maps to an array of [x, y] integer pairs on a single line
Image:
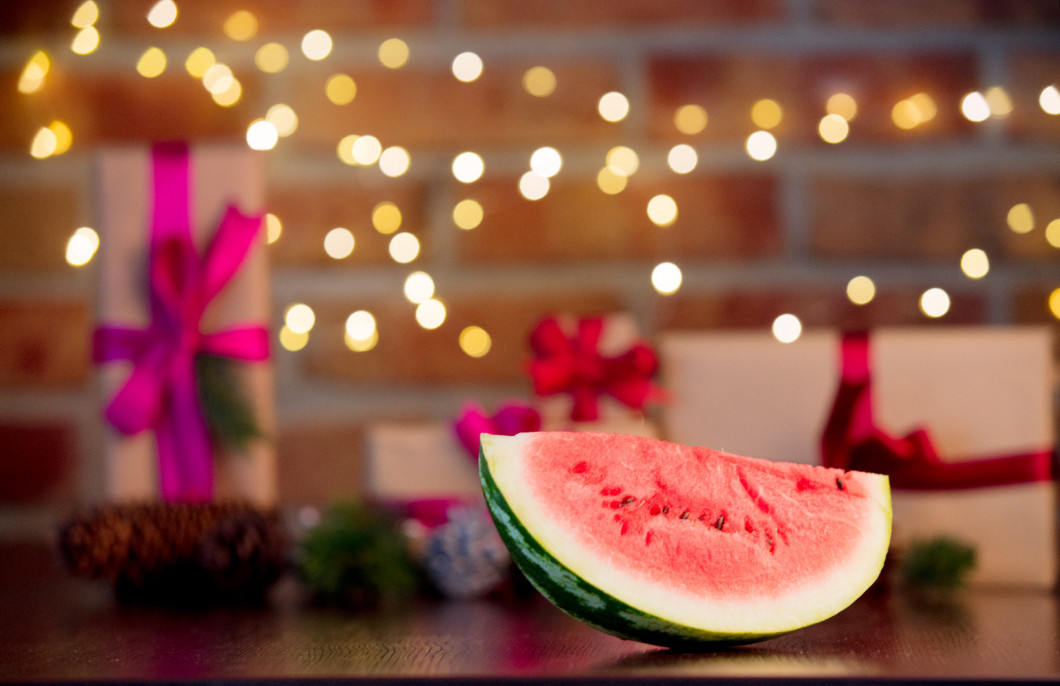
{"points": [[815, 307]]}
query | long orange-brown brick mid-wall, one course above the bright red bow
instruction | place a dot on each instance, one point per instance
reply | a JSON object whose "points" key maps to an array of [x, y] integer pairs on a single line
{"points": [[718, 217]]}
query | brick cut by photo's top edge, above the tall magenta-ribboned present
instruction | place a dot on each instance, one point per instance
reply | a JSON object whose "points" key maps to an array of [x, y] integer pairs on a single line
{"points": [[279, 19]]}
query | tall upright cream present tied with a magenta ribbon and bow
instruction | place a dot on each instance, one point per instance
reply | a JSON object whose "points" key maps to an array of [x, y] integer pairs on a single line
{"points": [[183, 304]]}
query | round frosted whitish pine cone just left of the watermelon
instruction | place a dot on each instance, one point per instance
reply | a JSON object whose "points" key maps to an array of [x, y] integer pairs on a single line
{"points": [[466, 558]]}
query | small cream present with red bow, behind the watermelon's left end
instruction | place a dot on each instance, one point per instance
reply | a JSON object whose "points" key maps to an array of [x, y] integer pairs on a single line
{"points": [[594, 374]]}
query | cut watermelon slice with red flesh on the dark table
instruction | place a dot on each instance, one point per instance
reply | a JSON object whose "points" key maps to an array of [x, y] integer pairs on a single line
{"points": [[683, 547]]}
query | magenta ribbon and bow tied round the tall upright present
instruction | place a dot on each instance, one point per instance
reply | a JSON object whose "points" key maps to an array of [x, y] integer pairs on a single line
{"points": [[162, 393]]}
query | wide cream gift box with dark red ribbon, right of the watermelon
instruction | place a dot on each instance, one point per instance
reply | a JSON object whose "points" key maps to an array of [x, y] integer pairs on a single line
{"points": [[962, 418]]}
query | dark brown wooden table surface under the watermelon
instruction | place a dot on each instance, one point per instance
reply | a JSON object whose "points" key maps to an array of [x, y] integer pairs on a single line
{"points": [[54, 628]]}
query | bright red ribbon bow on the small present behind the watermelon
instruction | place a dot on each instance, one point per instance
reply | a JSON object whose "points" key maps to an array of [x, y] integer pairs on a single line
{"points": [[574, 364]]}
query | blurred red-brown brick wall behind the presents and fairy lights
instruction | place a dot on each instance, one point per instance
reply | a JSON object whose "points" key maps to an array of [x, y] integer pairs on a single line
{"points": [[754, 239]]}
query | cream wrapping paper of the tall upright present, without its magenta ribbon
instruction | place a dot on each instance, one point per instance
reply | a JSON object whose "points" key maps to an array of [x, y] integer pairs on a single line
{"points": [[220, 175]]}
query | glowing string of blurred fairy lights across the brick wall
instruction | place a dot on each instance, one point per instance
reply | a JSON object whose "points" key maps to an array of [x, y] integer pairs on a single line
{"points": [[620, 164]]}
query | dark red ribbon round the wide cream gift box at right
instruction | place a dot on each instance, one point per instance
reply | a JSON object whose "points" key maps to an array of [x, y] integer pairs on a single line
{"points": [[852, 441]]}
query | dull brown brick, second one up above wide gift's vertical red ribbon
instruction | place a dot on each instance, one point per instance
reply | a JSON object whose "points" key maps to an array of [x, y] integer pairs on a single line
{"points": [[918, 218]]}
